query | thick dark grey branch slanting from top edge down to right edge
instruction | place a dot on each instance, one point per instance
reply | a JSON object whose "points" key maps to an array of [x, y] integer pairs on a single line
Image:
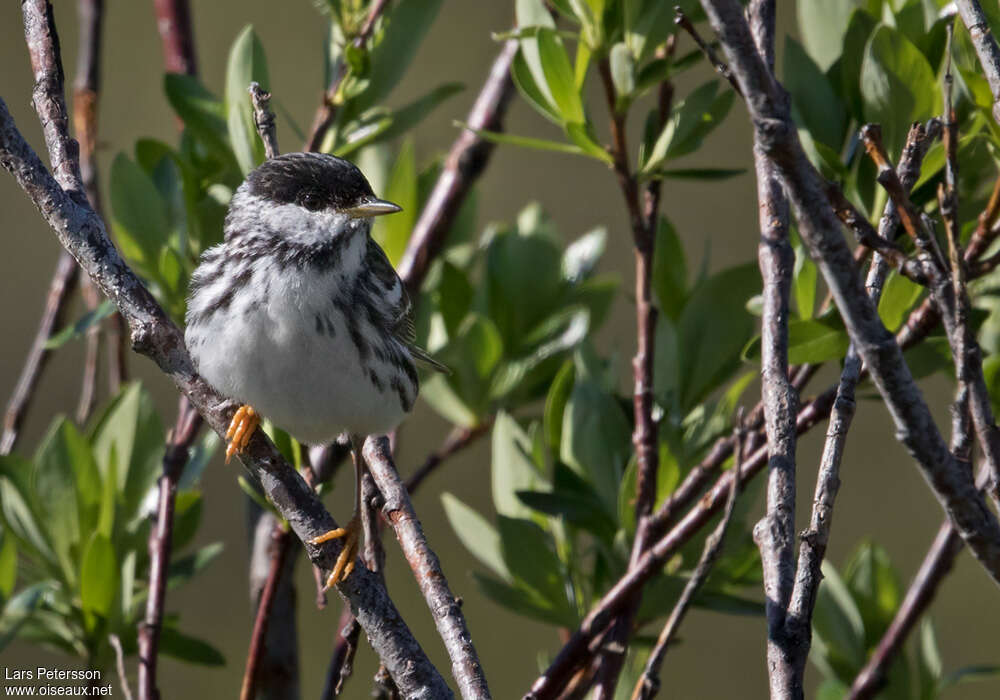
{"points": [[818, 227]]}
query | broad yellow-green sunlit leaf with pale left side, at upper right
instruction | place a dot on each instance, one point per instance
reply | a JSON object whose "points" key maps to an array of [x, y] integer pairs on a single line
{"points": [[898, 86]]}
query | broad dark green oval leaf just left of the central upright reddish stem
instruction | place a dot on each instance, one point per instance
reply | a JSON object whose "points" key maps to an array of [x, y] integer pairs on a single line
{"points": [[595, 438]]}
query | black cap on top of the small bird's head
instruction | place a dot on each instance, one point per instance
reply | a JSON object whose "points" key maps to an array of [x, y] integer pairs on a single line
{"points": [[313, 180]]}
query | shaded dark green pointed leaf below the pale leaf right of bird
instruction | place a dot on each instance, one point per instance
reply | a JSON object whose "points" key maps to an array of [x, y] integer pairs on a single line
{"points": [[530, 559]]}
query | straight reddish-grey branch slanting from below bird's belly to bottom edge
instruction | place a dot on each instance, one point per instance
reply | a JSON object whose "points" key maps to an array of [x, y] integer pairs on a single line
{"points": [[447, 613]]}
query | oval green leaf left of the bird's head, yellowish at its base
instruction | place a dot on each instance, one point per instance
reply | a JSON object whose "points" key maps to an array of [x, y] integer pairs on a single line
{"points": [[138, 214]]}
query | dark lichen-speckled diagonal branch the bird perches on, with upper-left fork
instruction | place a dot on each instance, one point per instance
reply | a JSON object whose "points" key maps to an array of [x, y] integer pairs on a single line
{"points": [[81, 232]]}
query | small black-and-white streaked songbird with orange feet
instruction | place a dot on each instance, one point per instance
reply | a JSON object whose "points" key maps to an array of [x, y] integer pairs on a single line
{"points": [[300, 316]]}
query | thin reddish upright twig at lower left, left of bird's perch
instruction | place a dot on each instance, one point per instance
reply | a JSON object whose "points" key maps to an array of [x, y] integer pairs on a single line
{"points": [[161, 543]]}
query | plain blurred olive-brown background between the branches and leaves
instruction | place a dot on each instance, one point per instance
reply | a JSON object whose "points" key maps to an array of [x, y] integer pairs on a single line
{"points": [[883, 496]]}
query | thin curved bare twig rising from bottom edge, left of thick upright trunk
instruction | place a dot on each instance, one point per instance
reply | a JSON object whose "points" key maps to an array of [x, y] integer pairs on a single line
{"points": [[649, 682]]}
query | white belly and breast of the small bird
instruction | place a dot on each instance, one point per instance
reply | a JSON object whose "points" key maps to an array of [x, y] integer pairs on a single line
{"points": [[308, 380]]}
